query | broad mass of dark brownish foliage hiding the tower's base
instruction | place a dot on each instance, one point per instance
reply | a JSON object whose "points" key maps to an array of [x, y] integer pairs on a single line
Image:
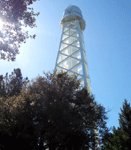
{"points": [[53, 111]]}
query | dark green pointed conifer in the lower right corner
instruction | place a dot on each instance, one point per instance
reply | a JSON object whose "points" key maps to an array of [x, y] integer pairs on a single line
{"points": [[120, 139]]}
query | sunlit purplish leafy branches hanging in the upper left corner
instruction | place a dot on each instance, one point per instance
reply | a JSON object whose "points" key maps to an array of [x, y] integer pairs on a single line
{"points": [[15, 14]]}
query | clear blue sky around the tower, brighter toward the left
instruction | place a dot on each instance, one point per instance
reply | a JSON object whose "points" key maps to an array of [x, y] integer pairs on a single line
{"points": [[107, 40]]}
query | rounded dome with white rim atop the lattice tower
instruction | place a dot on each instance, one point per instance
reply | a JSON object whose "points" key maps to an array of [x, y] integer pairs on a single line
{"points": [[73, 13]]}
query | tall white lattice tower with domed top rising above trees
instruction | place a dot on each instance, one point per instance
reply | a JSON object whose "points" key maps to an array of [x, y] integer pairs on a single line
{"points": [[71, 56]]}
